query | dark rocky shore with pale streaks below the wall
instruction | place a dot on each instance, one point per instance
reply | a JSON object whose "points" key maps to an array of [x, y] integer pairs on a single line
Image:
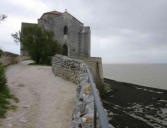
{"points": [[135, 106]]}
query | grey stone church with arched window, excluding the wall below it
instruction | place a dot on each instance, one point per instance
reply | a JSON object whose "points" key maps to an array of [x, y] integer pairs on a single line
{"points": [[68, 31]]}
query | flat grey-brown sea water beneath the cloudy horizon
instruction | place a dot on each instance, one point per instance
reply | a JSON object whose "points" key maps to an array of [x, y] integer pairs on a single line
{"points": [[151, 75]]}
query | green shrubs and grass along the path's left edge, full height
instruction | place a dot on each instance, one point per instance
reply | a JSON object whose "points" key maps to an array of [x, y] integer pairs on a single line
{"points": [[5, 94]]}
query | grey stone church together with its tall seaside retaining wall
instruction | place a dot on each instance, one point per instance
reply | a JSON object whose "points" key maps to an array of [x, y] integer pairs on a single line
{"points": [[74, 38]]}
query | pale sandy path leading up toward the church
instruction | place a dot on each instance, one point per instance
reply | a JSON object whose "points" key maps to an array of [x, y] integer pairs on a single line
{"points": [[46, 101]]}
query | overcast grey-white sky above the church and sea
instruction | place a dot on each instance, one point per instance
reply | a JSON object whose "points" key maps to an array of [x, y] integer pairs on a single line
{"points": [[122, 31]]}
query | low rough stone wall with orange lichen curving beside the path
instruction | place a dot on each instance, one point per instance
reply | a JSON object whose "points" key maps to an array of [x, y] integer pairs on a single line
{"points": [[75, 71]]}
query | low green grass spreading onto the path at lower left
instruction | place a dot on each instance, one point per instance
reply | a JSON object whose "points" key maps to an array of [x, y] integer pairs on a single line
{"points": [[5, 104]]}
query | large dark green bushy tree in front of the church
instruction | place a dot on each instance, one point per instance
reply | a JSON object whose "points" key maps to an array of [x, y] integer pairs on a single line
{"points": [[39, 44]]}
